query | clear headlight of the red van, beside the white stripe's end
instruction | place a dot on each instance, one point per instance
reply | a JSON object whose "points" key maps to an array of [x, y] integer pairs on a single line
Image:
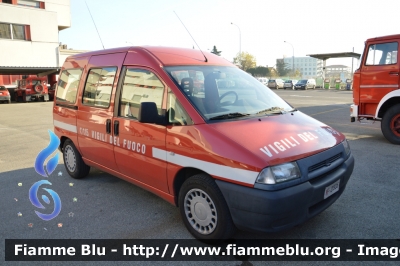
{"points": [[279, 173]]}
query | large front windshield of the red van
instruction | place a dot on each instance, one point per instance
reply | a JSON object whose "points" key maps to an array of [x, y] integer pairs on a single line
{"points": [[226, 92]]}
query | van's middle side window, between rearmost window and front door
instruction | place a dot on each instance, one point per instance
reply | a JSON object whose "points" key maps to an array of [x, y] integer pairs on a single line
{"points": [[99, 86]]}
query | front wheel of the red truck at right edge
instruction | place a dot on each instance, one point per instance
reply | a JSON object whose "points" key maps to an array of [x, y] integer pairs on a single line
{"points": [[390, 124]]}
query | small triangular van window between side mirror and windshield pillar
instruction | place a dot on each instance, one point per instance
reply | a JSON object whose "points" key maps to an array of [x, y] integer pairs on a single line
{"points": [[176, 114]]}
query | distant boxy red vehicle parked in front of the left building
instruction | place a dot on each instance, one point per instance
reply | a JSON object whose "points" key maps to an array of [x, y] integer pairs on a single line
{"points": [[32, 89]]}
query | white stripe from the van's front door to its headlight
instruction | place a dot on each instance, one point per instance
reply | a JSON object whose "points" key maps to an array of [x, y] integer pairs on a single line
{"points": [[236, 174]]}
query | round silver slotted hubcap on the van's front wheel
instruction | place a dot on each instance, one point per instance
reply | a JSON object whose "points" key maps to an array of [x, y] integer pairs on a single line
{"points": [[200, 211]]}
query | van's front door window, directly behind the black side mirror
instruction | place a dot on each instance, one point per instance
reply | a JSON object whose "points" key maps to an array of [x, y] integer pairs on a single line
{"points": [[140, 85]]}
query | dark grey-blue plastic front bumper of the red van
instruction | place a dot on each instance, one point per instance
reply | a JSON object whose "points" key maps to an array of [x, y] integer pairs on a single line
{"points": [[259, 210]]}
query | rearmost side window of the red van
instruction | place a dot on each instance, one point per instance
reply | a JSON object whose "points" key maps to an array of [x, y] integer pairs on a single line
{"points": [[68, 85]]}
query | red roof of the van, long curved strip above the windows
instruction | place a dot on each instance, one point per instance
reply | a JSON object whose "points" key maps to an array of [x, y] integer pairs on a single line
{"points": [[166, 55]]}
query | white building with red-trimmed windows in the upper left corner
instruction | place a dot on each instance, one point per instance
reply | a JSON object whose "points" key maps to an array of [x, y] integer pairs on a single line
{"points": [[29, 41]]}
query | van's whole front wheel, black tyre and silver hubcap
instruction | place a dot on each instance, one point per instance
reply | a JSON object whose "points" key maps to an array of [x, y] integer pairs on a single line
{"points": [[216, 222]]}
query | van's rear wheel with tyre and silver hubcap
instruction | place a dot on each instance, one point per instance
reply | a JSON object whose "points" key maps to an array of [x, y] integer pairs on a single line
{"points": [[73, 162]]}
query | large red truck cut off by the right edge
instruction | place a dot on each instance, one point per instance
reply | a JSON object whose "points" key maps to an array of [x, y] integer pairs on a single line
{"points": [[376, 92]]}
